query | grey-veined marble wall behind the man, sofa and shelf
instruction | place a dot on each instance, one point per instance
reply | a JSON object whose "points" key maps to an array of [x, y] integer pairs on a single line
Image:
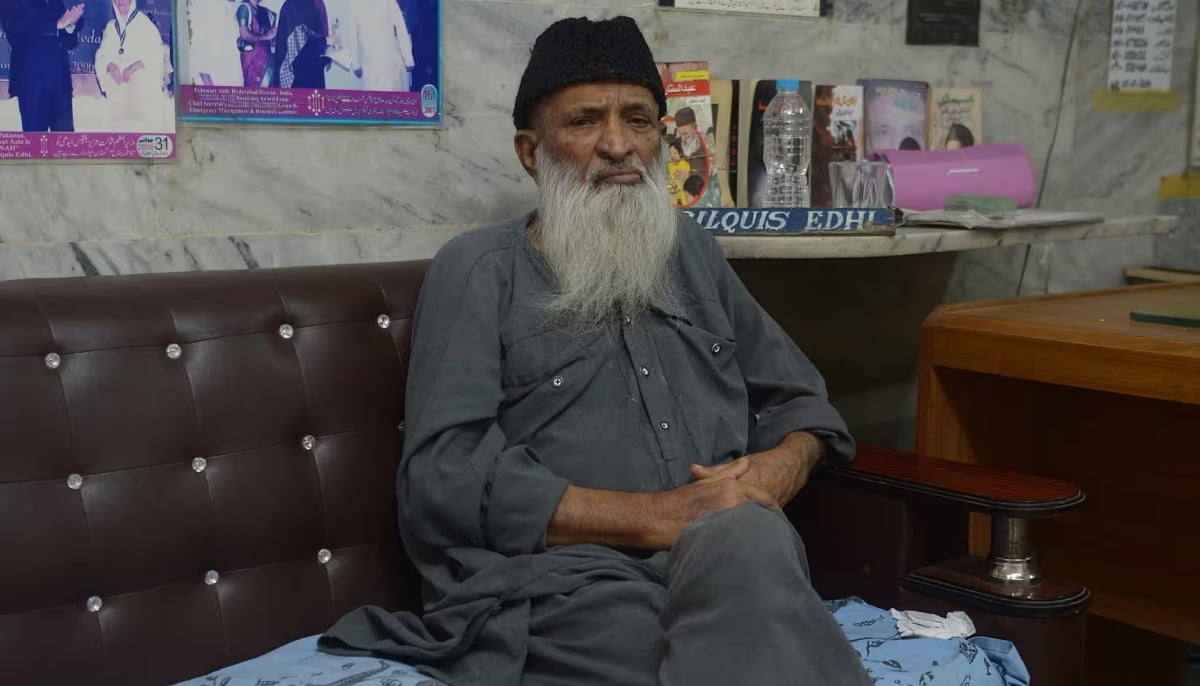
{"points": [[250, 197]]}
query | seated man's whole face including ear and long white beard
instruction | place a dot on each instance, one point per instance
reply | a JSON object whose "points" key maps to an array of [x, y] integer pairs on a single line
{"points": [[605, 224]]}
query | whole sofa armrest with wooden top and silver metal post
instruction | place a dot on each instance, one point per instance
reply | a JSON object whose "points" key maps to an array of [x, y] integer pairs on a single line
{"points": [[892, 528]]}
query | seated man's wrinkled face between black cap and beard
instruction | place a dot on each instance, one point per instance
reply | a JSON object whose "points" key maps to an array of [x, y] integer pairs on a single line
{"points": [[601, 124]]}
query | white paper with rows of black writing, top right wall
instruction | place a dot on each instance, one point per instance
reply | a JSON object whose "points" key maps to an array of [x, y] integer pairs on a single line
{"points": [[1143, 45]]}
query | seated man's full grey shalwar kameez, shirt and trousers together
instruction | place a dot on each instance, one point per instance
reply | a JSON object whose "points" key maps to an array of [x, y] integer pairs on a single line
{"points": [[505, 412]]}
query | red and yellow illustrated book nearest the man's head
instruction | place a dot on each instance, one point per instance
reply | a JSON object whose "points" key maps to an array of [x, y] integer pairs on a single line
{"points": [[691, 135]]}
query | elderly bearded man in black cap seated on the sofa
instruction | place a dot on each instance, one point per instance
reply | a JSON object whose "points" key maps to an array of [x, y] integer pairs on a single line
{"points": [[603, 425]]}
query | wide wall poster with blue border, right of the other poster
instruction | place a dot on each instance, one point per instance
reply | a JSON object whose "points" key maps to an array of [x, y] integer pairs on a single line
{"points": [[311, 62]]}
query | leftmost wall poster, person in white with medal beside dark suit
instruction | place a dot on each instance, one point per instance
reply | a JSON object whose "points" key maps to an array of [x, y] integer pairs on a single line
{"points": [[87, 81]]}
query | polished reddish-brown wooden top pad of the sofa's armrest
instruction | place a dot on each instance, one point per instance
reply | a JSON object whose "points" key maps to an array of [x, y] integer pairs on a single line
{"points": [[976, 488]]}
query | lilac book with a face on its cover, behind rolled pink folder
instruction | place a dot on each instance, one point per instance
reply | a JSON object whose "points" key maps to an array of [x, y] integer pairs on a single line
{"points": [[896, 115]]}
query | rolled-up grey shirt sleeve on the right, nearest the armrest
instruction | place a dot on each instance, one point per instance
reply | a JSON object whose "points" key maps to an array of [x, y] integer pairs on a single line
{"points": [[785, 390]]}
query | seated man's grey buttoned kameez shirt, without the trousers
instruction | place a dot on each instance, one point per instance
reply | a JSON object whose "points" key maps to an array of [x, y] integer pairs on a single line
{"points": [[505, 412]]}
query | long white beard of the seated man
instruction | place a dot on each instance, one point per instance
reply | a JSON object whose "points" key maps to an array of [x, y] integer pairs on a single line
{"points": [[609, 246]]}
